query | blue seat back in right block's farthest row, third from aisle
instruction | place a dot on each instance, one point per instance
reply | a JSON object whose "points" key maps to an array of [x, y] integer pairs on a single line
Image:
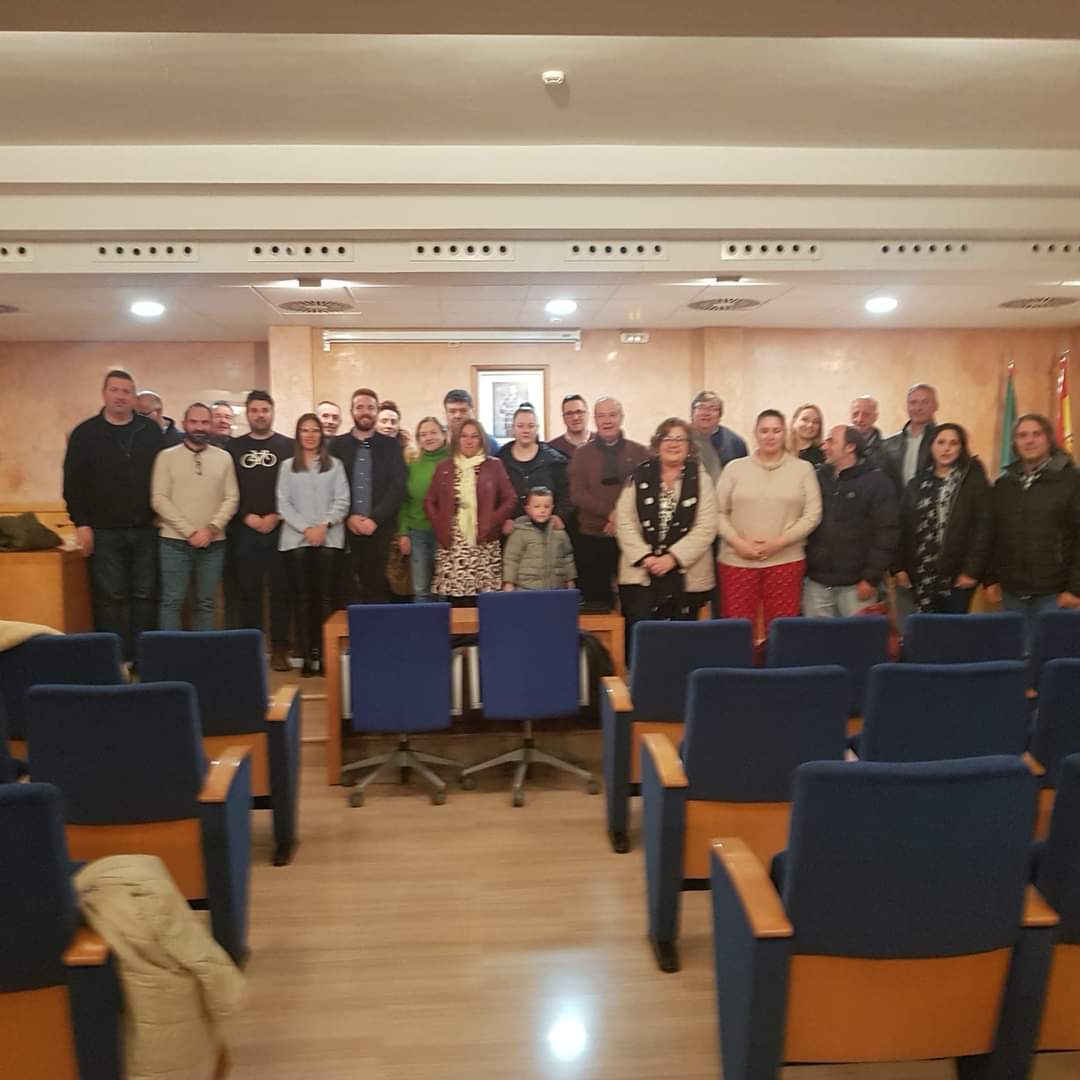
{"points": [[963, 639]]}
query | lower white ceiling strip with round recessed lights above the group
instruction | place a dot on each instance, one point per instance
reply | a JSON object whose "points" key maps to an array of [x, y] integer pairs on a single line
{"points": [[221, 308]]}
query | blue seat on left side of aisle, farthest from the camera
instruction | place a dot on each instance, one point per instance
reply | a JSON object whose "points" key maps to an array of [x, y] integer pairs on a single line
{"points": [[228, 670]]}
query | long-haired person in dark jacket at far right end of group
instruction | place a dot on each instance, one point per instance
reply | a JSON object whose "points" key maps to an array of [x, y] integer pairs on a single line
{"points": [[1035, 564]]}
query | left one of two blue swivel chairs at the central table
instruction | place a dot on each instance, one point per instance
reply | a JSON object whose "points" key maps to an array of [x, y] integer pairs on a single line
{"points": [[400, 671]]}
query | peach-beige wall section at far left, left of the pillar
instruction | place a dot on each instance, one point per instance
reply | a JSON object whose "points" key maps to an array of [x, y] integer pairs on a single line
{"points": [[49, 387]]}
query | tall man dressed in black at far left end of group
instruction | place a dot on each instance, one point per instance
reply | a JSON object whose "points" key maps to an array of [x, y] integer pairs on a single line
{"points": [[107, 490]]}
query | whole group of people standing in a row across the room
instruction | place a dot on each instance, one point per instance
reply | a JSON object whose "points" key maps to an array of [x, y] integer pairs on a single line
{"points": [[813, 521]]}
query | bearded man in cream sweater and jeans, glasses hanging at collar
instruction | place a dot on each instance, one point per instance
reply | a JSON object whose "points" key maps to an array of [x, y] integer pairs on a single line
{"points": [[194, 492]]}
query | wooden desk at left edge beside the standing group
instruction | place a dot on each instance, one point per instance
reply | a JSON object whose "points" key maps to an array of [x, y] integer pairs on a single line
{"points": [[47, 587]]}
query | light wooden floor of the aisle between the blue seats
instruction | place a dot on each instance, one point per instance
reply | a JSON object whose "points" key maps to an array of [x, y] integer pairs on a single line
{"points": [[413, 942]]}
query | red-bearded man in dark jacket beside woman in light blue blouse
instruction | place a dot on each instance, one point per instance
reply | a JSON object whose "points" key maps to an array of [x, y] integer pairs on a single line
{"points": [[376, 470]]}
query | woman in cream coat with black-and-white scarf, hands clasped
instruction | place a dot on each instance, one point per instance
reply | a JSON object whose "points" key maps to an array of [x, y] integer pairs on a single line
{"points": [[666, 521]]}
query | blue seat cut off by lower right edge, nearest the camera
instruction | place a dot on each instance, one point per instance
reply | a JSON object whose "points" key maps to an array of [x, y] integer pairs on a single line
{"points": [[1058, 879]]}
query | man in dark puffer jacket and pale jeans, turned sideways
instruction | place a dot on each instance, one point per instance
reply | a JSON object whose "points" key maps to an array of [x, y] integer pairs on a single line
{"points": [[850, 551]]}
